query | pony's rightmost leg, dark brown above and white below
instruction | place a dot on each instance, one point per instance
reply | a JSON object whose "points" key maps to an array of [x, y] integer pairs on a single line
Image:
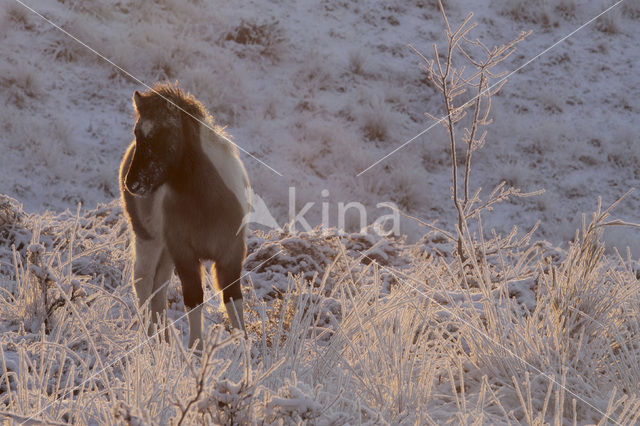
{"points": [[228, 280]]}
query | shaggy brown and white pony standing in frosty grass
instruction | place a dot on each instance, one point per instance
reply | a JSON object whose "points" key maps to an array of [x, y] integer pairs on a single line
{"points": [[185, 192]]}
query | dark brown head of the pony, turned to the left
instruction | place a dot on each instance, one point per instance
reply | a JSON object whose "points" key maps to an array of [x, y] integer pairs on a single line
{"points": [[159, 142]]}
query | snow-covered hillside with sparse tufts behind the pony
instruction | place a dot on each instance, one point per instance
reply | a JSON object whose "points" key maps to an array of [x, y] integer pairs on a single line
{"points": [[320, 91]]}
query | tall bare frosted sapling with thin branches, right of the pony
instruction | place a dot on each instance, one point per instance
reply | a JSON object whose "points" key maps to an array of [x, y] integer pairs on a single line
{"points": [[452, 82]]}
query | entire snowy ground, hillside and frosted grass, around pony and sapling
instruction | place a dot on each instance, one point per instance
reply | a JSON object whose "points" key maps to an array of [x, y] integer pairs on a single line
{"points": [[345, 327]]}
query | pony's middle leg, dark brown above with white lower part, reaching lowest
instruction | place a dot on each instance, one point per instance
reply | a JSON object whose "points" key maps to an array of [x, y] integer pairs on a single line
{"points": [[188, 270]]}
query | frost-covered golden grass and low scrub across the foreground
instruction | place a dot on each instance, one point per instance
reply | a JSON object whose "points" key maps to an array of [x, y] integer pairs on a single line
{"points": [[342, 329]]}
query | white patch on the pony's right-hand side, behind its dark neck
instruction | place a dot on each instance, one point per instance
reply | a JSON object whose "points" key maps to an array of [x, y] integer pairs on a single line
{"points": [[224, 157]]}
